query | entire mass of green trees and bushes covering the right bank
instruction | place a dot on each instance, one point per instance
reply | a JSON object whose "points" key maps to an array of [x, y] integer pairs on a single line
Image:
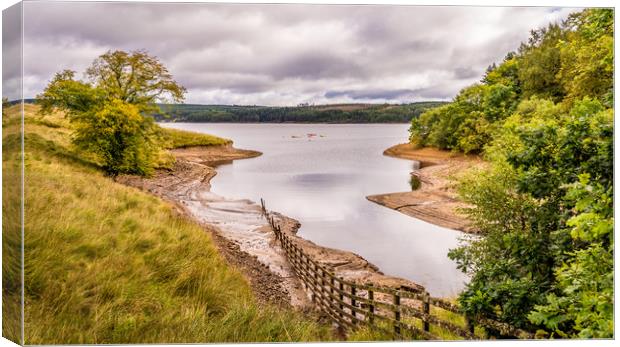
{"points": [[543, 119]]}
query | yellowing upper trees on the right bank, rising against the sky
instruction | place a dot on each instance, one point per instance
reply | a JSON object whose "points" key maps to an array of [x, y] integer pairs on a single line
{"points": [[562, 63]]}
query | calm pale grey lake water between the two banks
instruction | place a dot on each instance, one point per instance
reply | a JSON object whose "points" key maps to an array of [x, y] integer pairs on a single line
{"points": [[323, 181]]}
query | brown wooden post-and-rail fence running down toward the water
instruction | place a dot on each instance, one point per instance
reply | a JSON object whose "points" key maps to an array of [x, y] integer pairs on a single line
{"points": [[401, 313]]}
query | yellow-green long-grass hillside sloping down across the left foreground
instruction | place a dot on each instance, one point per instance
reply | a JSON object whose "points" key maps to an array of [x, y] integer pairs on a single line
{"points": [[105, 263]]}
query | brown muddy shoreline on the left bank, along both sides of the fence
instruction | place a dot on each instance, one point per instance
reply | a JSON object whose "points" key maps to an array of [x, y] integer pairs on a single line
{"points": [[243, 235]]}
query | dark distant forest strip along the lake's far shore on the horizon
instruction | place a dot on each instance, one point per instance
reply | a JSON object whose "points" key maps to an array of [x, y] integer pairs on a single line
{"points": [[341, 113]]}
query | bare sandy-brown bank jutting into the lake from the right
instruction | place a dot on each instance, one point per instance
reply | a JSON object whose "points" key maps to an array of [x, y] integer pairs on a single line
{"points": [[436, 200]]}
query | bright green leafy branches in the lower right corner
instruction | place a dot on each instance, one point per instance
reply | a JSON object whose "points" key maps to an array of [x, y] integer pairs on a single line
{"points": [[582, 305]]}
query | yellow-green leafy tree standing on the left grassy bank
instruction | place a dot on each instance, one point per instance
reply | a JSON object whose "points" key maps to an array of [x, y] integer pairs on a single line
{"points": [[109, 109]]}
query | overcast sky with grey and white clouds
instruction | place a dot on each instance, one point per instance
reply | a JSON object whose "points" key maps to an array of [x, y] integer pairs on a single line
{"points": [[281, 54]]}
